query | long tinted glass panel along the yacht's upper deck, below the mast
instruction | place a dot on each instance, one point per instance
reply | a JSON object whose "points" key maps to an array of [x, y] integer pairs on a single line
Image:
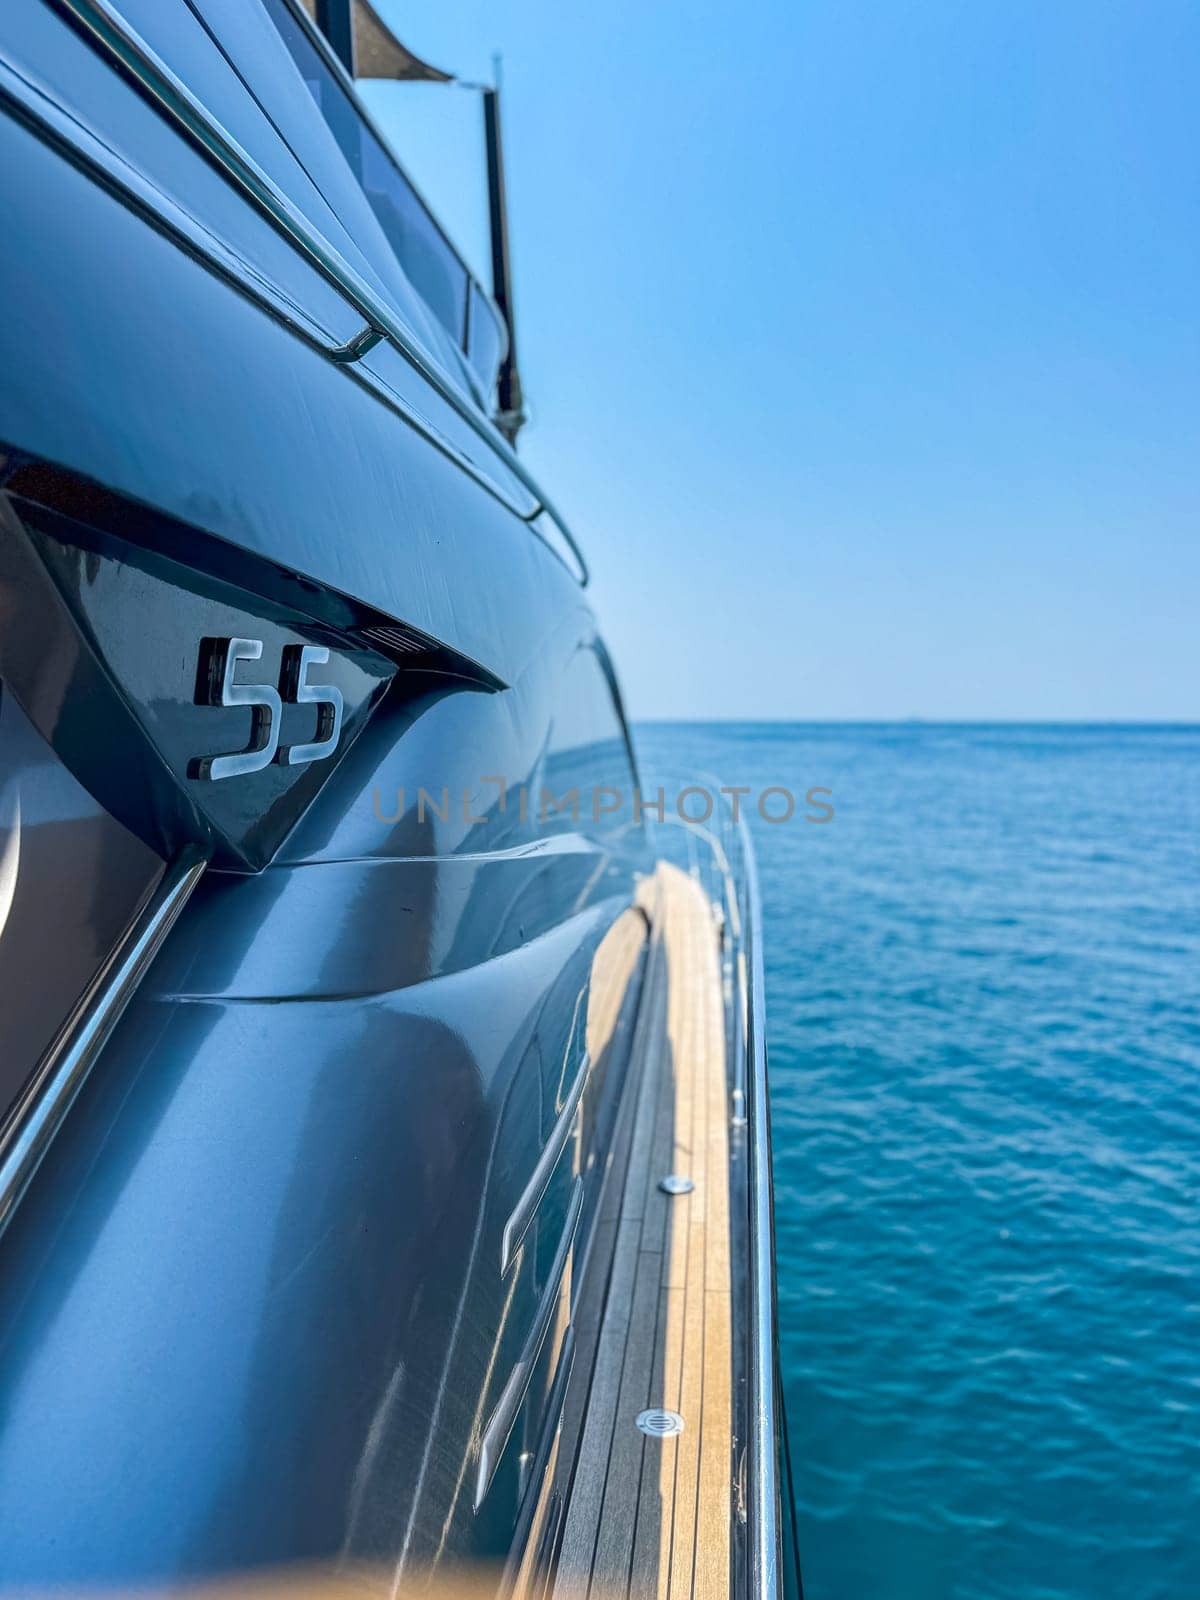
{"points": [[423, 252]]}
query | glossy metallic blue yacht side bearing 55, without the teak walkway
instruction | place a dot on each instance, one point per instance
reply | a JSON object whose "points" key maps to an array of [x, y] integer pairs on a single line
{"points": [[287, 1265]]}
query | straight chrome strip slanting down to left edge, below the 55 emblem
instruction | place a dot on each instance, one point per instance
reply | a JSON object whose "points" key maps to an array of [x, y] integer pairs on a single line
{"points": [[62, 1073]]}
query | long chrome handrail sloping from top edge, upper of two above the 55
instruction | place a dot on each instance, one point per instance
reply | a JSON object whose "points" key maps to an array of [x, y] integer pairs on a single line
{"points": [[130, 52]]}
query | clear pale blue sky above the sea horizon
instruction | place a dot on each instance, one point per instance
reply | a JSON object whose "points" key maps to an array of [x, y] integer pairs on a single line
{"points": [[862, 337]]}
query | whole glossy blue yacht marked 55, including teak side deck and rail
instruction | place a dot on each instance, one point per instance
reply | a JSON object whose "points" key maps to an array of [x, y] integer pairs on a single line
{"points": [[385, 1166]]}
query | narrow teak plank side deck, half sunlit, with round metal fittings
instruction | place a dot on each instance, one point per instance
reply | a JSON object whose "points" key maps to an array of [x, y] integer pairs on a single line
{"points": [[652, 1516]]}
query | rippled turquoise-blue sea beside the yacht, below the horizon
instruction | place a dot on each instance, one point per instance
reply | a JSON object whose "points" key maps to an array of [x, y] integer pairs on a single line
{"points": [[985, 1049]]}
